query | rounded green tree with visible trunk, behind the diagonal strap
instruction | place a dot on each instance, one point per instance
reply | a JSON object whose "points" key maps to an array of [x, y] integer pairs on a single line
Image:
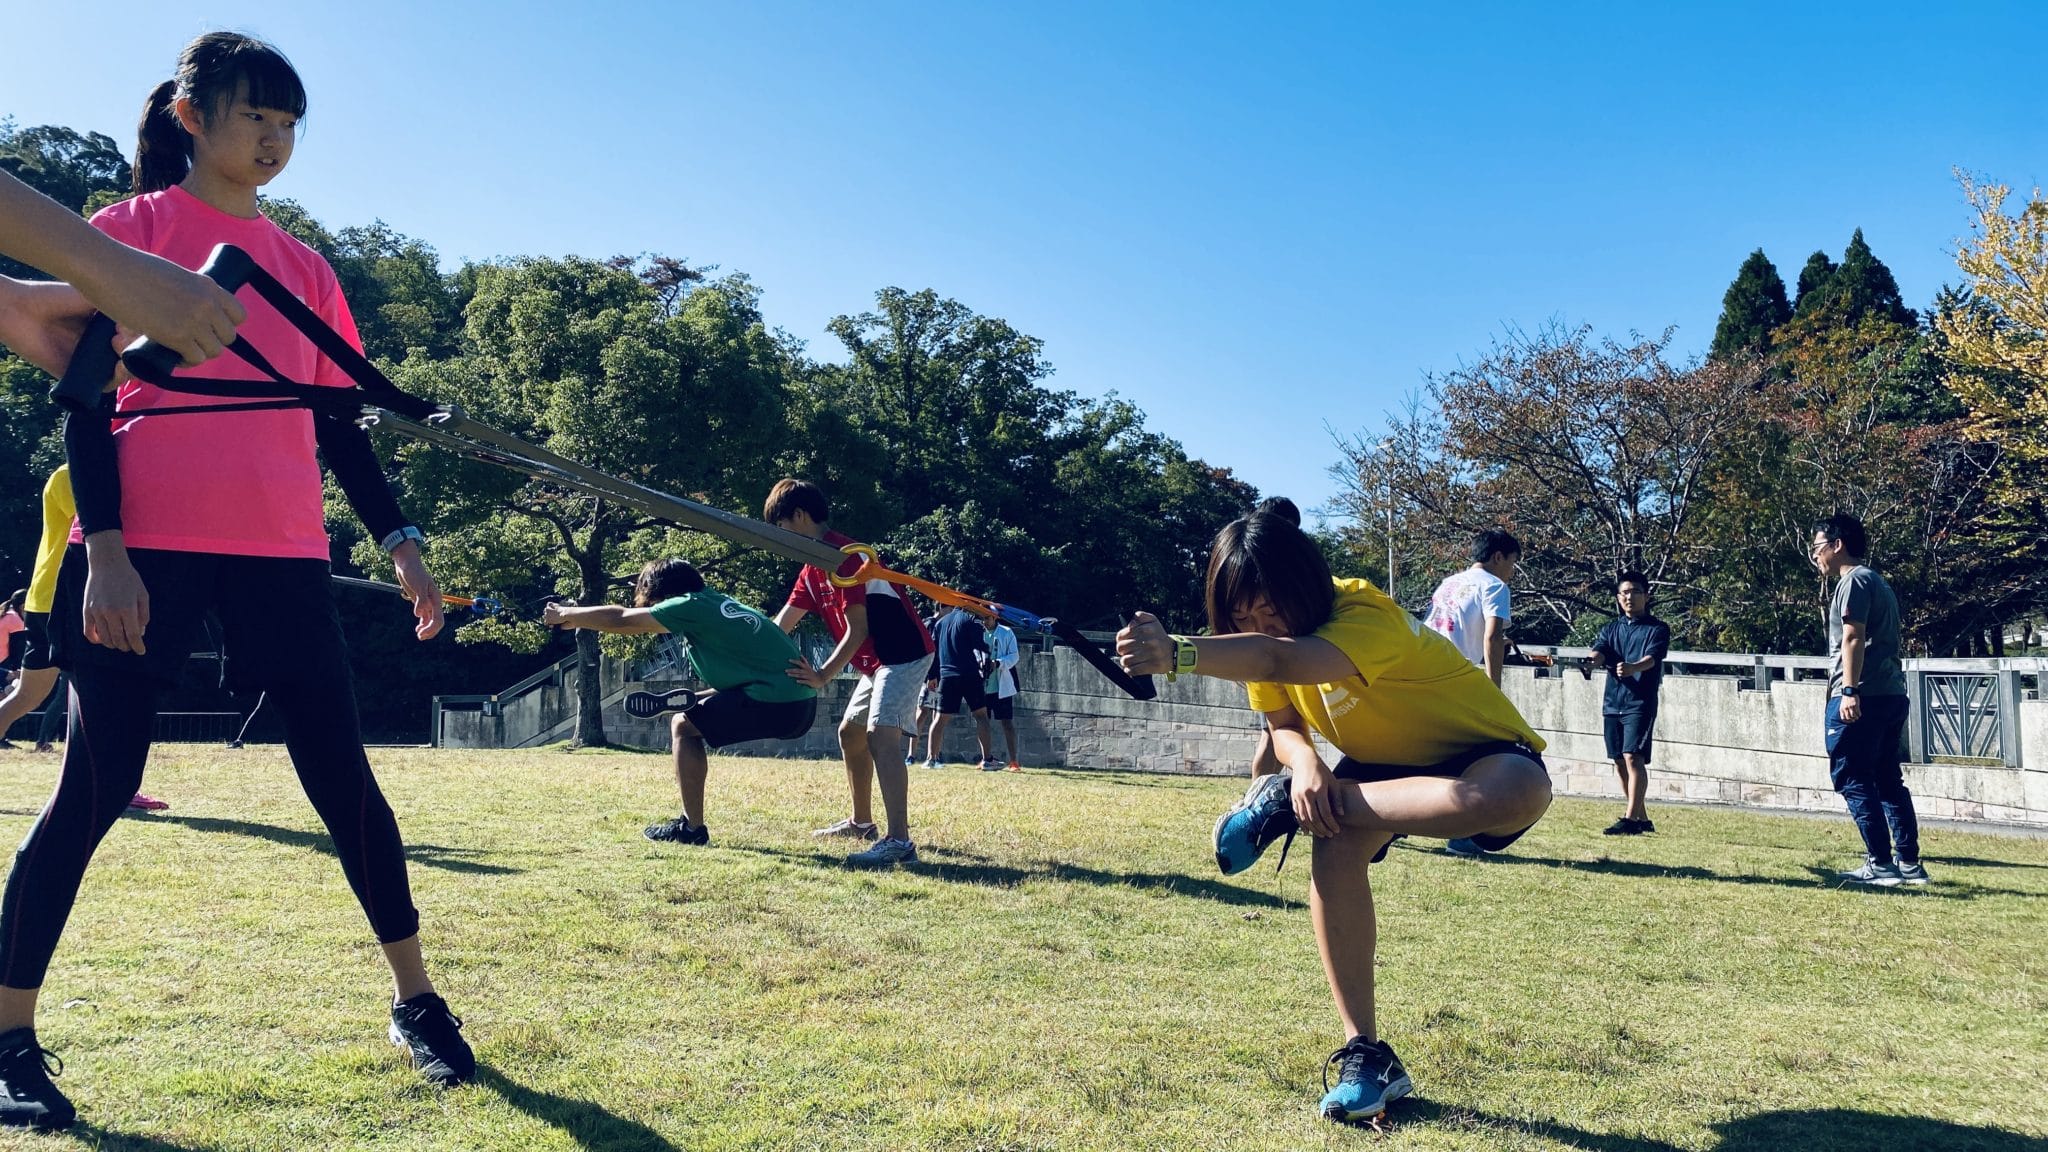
{"points": [[591, 362]]}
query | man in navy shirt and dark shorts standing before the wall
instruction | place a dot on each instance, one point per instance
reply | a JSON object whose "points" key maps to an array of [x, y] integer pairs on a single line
{"points": [[1633, 647]]}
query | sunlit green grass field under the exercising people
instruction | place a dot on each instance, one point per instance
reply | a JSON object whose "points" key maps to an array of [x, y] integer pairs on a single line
{"points": [[1062, 971]]}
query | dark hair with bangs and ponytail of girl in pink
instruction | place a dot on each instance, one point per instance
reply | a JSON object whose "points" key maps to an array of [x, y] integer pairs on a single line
{"points": [[214, 71]]}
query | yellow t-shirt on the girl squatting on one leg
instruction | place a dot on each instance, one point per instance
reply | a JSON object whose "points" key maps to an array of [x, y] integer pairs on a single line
{"points": [[1414, 702]]}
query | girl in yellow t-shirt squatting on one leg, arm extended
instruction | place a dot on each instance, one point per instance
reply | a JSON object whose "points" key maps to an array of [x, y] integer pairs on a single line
{"points": [[1428, 747]]}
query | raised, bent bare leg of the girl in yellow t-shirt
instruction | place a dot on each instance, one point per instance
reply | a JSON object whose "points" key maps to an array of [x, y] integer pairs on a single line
{"points": [[1498, 794]]}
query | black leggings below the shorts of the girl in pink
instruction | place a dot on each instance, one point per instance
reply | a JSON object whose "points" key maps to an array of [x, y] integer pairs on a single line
{"points": [[103, 759]]}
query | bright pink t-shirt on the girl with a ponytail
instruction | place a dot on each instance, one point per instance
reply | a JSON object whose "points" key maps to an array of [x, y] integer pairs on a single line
{"points": [[241, 483]]}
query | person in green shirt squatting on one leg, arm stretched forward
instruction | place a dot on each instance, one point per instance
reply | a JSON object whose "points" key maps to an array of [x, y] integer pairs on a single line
{"points": [[734, 649]]}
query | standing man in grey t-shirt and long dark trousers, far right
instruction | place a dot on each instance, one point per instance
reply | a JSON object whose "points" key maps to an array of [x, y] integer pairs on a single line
{"points": [[1867, 706]]}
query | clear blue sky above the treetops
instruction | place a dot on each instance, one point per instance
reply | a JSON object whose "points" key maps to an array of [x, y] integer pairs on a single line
{"points": [[1252, 220]]}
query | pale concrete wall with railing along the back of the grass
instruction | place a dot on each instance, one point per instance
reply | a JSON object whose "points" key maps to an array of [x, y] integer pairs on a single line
{"points": [[1750, 735]]}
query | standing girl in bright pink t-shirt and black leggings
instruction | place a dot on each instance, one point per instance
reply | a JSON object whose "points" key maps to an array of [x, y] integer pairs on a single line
{"points": [[181, 516]]}
